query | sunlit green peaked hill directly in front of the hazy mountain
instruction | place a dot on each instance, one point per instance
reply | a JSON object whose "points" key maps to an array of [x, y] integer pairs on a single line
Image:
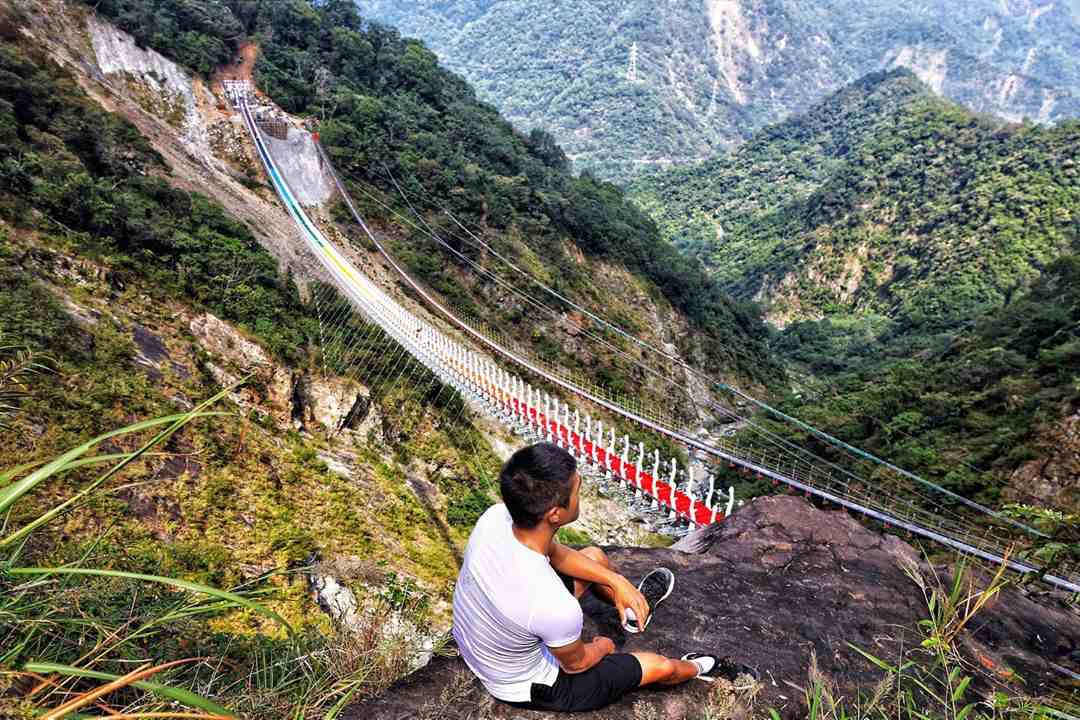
{"points": [[884, 200]]}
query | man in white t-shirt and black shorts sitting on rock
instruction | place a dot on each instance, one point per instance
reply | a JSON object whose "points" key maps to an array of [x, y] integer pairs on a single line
{"points": [[517, 617]]}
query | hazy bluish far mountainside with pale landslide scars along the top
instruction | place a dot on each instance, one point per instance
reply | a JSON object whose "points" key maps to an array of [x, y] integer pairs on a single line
{"points": [[710, 73]]}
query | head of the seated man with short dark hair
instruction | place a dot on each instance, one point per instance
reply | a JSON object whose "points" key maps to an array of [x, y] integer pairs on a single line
{"points": [[535, 480]]}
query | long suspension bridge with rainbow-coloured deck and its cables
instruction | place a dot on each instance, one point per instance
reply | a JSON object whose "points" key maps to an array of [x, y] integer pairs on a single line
{"points": [[541, 401]]}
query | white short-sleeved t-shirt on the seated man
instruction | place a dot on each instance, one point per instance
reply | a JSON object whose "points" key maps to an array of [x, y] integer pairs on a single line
{"points": [[509, 607]]}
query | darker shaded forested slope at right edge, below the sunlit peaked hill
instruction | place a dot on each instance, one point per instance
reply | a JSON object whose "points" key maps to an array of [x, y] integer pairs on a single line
{"points": [[990, 412]]}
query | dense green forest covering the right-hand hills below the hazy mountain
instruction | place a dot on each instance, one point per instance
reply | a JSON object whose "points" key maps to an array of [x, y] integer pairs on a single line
{"points": [[923, 263]]}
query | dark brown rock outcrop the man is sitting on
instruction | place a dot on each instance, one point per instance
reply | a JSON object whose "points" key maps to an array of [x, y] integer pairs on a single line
{"points": [[777, 582]]}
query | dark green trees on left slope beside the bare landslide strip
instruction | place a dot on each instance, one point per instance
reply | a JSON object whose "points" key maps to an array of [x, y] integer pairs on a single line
{"points": [[70, 167]]}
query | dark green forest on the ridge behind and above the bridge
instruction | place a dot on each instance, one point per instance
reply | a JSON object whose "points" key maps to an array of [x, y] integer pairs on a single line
{"points": [[388, 111]]}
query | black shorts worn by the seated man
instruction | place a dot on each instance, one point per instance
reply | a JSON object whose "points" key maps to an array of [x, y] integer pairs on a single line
{"points": [[602, 685]]}
